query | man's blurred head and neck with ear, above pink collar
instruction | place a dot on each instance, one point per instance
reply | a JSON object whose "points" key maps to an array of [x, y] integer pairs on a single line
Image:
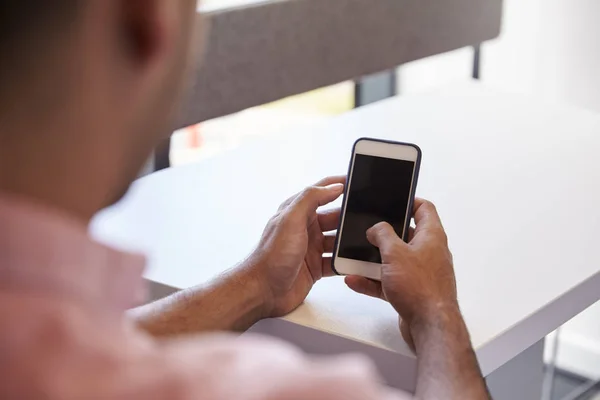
{"points": [[87, 89]]}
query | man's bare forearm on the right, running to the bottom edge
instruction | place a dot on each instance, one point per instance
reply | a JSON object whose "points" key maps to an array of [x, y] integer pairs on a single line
{"points": [[447, 366]]}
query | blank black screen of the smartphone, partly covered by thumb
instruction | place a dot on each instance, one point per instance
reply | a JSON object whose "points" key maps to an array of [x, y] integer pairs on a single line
{"points": [[379, 191]]}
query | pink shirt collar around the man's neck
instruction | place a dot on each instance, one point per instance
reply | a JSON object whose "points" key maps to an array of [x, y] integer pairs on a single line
{"points": [[46, 251]]}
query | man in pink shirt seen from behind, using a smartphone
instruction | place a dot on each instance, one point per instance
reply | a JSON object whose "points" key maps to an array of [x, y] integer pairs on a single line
{"points": [[87, 88]]}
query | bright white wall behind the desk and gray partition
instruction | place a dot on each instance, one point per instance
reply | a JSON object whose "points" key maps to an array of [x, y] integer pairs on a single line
{"points": [[549, 49]]}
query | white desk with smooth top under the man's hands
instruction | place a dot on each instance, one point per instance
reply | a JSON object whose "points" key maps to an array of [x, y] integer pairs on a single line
{"points": [[517, 184]]}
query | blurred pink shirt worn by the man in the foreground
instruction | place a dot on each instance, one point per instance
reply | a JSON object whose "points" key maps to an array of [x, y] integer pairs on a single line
{"points": [[64, 333]]}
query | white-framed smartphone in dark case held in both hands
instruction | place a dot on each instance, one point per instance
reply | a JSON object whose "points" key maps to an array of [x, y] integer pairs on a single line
{"points": [[382, 179]]}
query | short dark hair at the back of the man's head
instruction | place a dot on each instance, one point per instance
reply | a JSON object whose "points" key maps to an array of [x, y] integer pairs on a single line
{"points": [[27, 28]]}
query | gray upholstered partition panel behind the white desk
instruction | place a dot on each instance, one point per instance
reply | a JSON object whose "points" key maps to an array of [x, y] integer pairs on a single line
{"points": [[265, 51]]}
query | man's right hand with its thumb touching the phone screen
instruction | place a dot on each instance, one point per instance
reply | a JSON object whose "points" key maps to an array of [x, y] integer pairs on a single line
{"points": [[417, 278]]}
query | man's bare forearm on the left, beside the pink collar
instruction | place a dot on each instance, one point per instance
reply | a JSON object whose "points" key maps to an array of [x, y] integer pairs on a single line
{"points": [[231, 302]]}
